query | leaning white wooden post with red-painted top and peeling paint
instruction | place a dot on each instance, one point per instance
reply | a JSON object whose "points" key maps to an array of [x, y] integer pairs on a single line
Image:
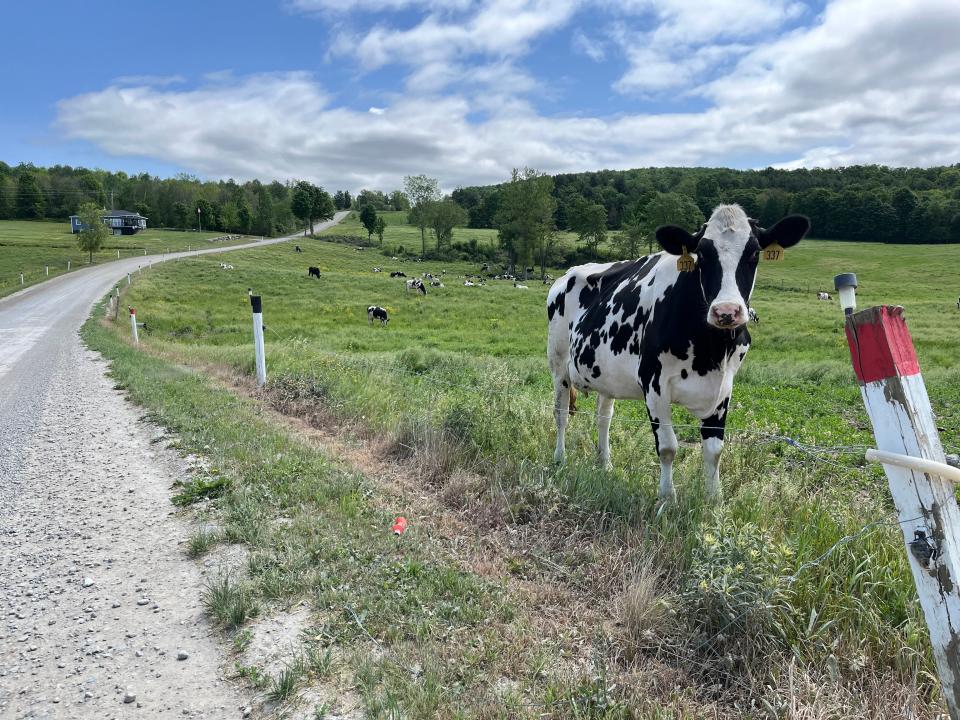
{"points": [[893, 392]]}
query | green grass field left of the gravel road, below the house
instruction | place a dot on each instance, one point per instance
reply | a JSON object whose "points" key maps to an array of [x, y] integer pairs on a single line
{"points": [[28, 247]]}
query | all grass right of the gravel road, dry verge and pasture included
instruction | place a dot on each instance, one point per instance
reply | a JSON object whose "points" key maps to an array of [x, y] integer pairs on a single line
{"points": [[583, 603]]}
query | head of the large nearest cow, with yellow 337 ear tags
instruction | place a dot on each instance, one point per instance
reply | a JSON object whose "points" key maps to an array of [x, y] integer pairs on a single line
{"points": [[728, 248]]}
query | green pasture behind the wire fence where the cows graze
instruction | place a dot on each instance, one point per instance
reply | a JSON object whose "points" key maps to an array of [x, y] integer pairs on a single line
{"points": [[460, 377]]}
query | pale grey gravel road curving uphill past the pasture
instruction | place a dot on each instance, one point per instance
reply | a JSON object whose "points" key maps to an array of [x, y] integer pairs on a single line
{"points": [[101, 611]]}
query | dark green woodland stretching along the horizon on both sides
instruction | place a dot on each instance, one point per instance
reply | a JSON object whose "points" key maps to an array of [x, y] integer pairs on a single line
{"points": [[867, 203]]}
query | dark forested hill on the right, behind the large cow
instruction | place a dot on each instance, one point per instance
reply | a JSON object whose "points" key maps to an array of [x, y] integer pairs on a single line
{"points": [[866, 203]]}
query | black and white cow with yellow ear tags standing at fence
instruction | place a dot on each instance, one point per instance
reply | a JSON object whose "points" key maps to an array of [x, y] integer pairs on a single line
{"points": [[641, 329]]}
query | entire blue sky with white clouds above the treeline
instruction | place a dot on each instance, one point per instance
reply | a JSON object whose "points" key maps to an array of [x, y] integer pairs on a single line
{"points": [[358, 93]]}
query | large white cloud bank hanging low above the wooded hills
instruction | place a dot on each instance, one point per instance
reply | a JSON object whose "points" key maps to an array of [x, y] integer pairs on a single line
{"points": [[865, 82]]}
